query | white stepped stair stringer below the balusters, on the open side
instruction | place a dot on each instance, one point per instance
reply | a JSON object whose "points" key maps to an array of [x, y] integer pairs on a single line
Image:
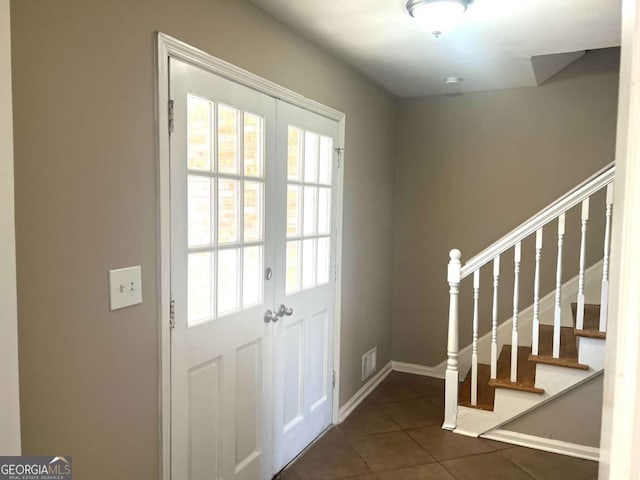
{"points": [[510, 404]]}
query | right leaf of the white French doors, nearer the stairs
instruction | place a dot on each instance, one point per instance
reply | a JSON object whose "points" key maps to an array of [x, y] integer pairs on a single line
{"points": [[306, 244]]}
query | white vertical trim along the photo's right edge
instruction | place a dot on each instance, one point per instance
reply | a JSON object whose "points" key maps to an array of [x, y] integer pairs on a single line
{"points": [[621, 403]]}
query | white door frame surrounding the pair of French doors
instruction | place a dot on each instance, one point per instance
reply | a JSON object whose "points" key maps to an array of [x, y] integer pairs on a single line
{"points": [[169, 47]]}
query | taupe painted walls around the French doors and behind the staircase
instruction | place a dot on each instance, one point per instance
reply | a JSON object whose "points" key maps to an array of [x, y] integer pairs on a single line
{"points": [[86, 201]]}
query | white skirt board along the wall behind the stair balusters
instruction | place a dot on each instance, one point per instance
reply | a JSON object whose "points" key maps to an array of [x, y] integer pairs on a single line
{"points": [[592, 286]]}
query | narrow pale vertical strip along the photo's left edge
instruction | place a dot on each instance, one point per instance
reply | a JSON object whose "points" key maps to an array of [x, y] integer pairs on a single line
{"points": [[9, 399]]}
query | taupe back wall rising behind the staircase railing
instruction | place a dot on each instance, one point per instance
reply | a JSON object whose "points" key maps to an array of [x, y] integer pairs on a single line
{"points": [[472, 167]]}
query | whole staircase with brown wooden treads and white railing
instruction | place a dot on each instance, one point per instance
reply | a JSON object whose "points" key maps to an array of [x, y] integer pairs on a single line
{"points": [[518, 376]]}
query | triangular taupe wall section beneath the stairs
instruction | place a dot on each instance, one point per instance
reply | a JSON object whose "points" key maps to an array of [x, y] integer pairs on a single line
{"points": [[574, 417]]}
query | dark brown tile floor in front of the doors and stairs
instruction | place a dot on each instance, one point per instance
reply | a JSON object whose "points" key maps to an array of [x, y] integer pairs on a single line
{"points": [[395, 434]]}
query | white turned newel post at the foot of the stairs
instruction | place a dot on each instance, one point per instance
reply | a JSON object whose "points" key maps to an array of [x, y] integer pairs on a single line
{"points": [[451, 376]]}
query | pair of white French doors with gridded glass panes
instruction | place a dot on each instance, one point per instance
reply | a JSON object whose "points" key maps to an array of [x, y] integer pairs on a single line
{"points": [[252, 213]]}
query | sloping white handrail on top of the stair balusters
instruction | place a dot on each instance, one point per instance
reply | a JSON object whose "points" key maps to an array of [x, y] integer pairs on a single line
{"points": [[572, 198]]}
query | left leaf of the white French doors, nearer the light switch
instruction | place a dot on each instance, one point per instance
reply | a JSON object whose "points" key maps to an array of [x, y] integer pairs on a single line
{"points": [[222, 171]]}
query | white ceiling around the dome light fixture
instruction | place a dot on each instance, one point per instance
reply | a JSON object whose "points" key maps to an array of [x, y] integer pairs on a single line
{"points": [[490, 49]]}
